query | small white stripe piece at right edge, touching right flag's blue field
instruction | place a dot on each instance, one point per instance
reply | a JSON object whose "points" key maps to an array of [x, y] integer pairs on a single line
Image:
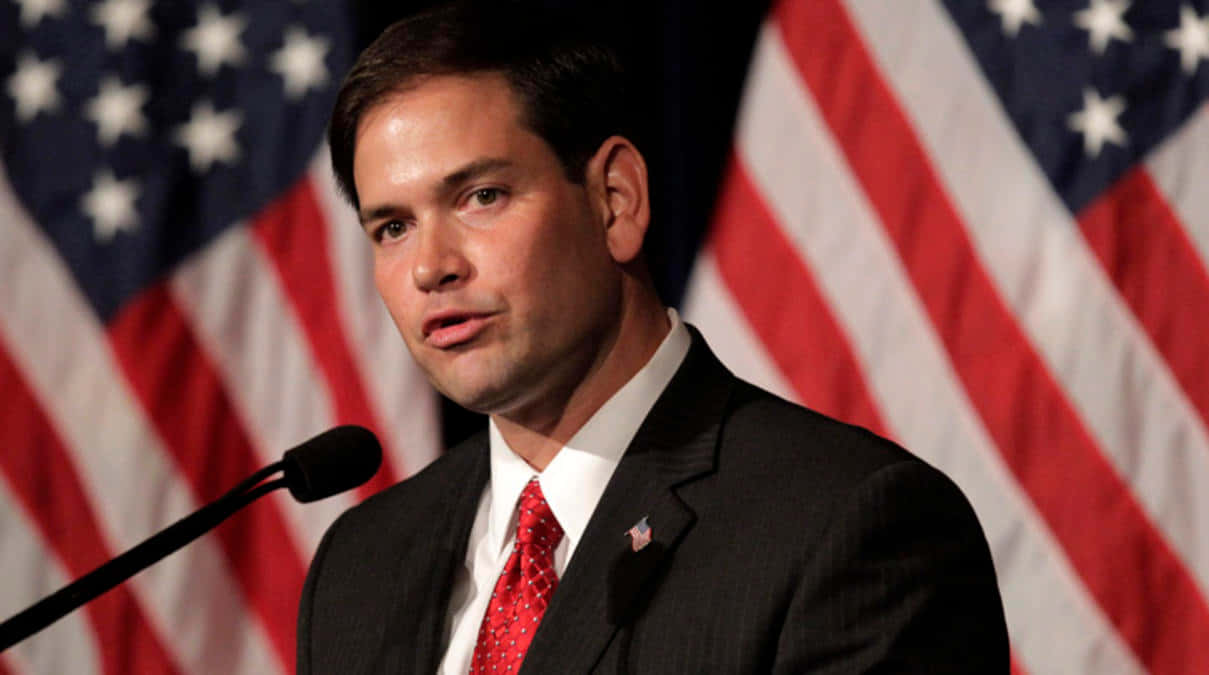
{"points": [[1181, 169]]}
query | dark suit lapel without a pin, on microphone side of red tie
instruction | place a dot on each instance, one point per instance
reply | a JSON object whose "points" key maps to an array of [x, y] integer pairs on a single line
{"points": [[414, 643]]}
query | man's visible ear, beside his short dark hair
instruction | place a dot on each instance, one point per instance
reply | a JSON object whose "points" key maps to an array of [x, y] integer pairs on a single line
{"points": [[621, 175]]}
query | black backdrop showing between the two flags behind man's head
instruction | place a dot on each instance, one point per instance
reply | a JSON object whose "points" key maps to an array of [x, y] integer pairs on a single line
{"points": [[687, 66]]}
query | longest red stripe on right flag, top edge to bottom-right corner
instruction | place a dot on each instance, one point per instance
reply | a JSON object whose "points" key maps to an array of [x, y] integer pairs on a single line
{"points": [[1142, 586]]}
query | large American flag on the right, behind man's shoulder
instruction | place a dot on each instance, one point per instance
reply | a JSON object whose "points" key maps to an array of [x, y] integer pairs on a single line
{"points": [[982, 229]]}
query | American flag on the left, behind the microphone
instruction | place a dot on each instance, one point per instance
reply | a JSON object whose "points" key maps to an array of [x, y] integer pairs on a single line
{"points": [[183, 297]]}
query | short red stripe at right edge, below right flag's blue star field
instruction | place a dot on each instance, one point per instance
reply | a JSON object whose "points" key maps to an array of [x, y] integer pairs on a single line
{"points": [[1147, 253]]}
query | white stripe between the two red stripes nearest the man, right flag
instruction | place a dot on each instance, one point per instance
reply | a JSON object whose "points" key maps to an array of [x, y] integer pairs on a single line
{"points": [[1055, 626]]}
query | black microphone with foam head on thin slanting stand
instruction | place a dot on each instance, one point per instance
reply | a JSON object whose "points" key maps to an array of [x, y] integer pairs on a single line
{"points": [[334, 461]]}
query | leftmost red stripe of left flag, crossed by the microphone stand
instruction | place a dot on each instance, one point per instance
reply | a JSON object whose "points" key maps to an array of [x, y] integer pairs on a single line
{"points": [[42, 475]]}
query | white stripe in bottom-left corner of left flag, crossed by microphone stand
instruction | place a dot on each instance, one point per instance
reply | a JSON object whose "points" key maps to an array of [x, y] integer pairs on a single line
{"points": [[31, 574]]}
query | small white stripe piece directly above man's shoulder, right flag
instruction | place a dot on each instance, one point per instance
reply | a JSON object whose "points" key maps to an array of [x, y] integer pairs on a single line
{"points": [[714, 310]]}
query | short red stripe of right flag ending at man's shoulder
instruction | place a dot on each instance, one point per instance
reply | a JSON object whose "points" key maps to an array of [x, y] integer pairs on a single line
{"points": [[763, 273]]}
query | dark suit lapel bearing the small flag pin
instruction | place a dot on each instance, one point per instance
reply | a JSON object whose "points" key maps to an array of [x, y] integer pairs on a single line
{"points": [[608, 582]]}
